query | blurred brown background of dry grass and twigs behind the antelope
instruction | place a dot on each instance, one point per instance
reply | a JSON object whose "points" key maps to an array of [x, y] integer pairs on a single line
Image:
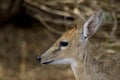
{"points": [[29, 27]]}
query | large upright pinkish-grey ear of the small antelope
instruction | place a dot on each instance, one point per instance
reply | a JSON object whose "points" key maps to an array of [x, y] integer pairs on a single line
{"points": [[92, 24]]}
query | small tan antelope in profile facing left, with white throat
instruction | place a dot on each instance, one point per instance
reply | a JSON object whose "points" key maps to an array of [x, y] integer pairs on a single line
{"points": [[73, 48]]}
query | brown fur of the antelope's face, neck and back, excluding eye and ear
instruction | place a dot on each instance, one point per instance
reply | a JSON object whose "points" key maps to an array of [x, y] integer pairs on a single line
{"points": [[79, 55]]}
